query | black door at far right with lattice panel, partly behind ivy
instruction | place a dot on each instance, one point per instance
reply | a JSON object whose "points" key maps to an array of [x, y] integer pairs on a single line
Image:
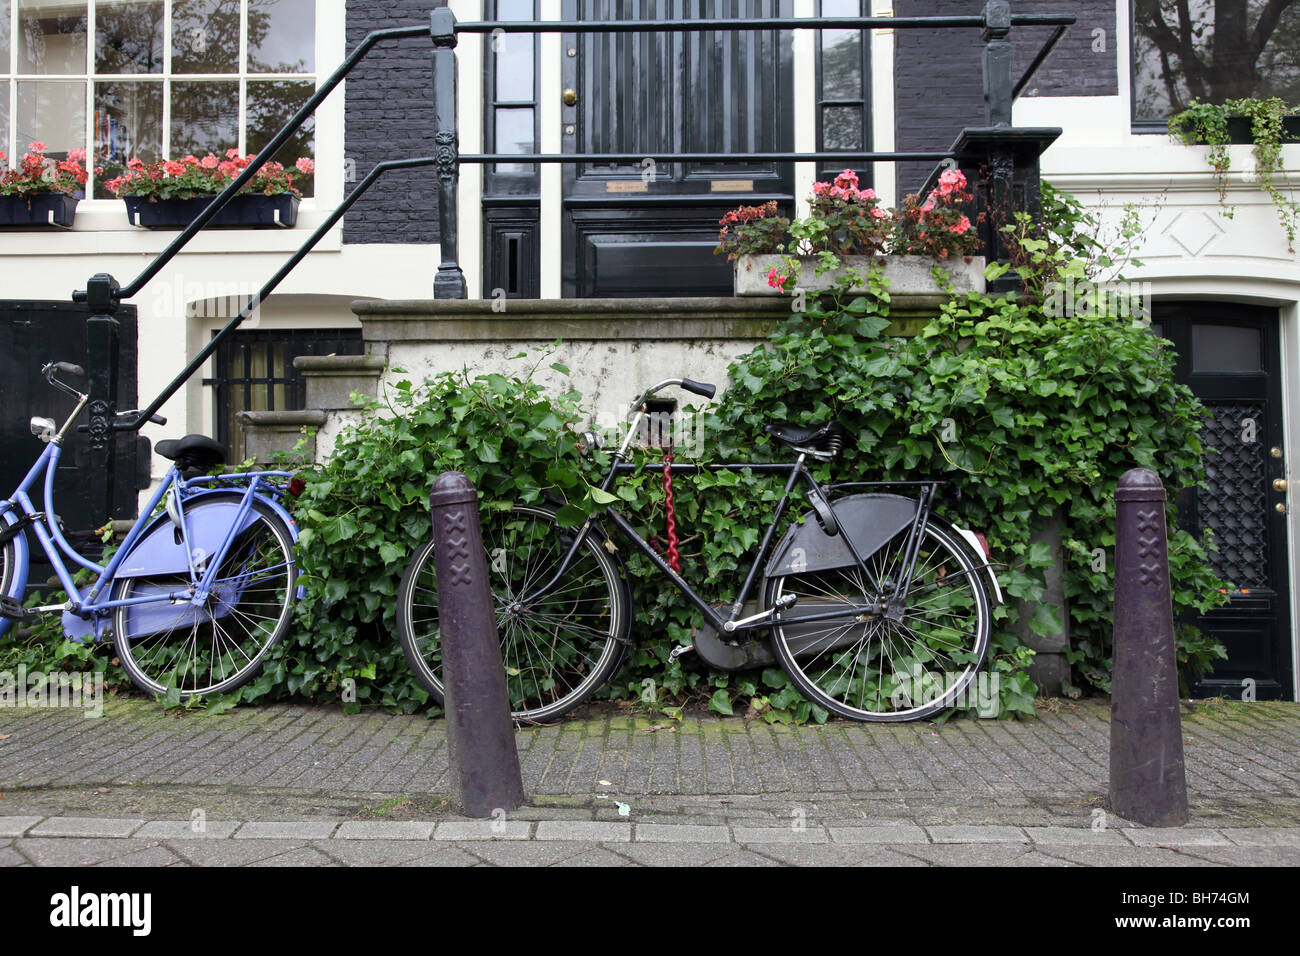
{"points": [[1230, 357]]}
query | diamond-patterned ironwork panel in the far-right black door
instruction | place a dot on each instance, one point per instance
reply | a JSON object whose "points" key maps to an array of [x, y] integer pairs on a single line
{"points": [[1234, 504]]}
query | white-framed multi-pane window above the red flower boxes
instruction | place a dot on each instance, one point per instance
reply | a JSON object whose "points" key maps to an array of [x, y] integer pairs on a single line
{"points": [[155, 79]]}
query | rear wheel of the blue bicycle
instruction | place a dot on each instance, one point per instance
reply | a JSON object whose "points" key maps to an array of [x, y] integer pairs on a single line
{"points": [[223, 644]]}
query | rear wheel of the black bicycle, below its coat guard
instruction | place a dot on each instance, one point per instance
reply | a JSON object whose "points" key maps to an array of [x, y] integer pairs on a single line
{"points": [[905, 665]]}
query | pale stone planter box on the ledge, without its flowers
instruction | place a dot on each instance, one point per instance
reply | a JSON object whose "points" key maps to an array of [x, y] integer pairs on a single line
{"points": [[911, 280]]}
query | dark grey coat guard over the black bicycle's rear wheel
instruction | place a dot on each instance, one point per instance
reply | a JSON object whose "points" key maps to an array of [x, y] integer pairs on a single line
{"points": [[870, 521]]}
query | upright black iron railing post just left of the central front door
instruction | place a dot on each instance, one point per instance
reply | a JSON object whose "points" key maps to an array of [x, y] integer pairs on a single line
{"points": [[450, 282]]}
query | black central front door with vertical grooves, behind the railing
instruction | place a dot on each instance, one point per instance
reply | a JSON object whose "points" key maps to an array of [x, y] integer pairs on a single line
{"points": [[651, 230]]}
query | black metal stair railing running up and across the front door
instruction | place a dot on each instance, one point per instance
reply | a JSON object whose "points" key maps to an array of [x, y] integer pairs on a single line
{"points": [[996, 144]]}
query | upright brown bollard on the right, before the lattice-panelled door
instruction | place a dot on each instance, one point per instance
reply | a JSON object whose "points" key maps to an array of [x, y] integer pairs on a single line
{"points": [[1149, 784]]}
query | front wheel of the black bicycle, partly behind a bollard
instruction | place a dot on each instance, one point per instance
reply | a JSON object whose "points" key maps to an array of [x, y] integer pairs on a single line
{"points": [[561, 648]]}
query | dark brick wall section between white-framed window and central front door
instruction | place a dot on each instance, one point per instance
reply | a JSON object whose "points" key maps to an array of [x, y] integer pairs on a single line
{"points": [[389, 115]]}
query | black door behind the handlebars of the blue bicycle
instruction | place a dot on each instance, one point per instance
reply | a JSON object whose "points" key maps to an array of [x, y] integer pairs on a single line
{"points": [[32, 335]]}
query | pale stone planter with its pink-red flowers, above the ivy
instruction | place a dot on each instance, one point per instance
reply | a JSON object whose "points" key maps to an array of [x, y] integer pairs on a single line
{"points": [[925, 250]]}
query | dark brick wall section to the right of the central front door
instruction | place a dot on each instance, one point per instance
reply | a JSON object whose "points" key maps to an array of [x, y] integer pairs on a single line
{"points": [[939, 80]]}
